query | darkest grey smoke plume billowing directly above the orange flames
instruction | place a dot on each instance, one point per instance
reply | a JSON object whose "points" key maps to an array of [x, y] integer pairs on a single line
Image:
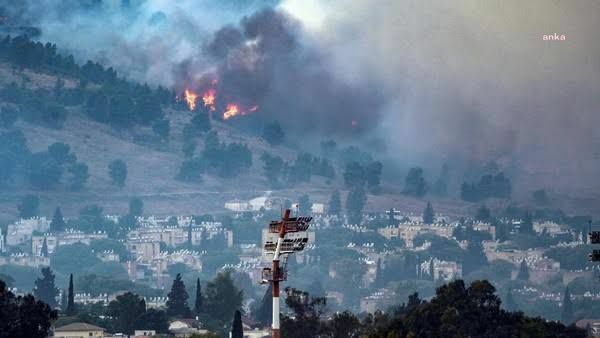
{"points": [[264, 62]]}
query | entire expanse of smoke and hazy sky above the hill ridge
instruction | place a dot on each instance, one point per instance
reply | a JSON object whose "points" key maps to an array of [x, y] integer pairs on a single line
{"points": [[465, 80]]}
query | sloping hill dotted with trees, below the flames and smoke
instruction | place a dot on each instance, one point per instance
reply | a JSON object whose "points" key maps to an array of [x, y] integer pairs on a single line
{"points": [[75, 135]]}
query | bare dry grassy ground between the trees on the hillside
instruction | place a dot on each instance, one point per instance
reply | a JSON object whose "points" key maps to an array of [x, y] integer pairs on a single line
{"points": [[152, 166]]}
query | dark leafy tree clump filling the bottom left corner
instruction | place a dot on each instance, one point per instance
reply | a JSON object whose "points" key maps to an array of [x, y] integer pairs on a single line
{"points": [[23, 317]]}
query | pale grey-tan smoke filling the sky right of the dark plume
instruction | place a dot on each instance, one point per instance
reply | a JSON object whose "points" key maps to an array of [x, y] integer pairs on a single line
{"points": [[475, 80]]}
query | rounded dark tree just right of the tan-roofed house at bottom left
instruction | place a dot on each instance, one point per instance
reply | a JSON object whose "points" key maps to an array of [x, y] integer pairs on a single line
{"points": [[126, 310]]}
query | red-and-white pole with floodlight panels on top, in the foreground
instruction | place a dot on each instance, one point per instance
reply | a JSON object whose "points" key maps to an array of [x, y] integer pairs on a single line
{"points": [[280, 248]]}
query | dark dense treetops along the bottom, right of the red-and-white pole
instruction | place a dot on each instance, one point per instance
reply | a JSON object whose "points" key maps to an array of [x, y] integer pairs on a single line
{"points": [[455, 311]]}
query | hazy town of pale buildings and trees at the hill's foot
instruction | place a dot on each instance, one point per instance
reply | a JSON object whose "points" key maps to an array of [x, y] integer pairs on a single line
{"points": [[365, 268]]}
